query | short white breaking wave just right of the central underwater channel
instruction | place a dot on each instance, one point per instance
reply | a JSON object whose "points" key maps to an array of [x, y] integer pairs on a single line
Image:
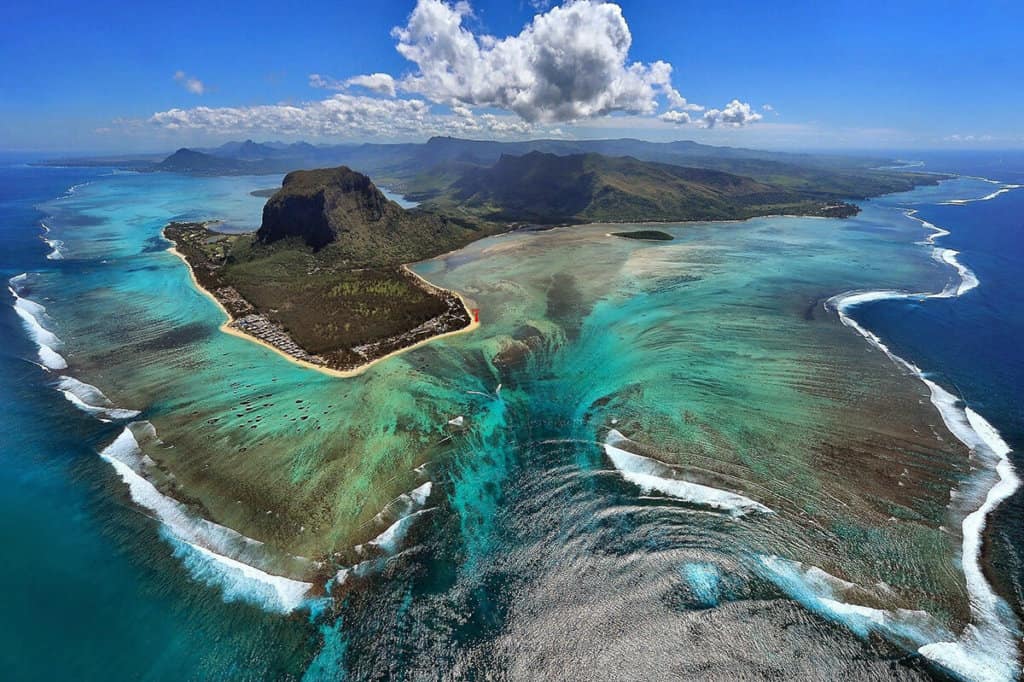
{"points": [[652, 476]]}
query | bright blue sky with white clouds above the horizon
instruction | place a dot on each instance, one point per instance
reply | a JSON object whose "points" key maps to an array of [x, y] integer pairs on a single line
{"points": [[118, 77]]}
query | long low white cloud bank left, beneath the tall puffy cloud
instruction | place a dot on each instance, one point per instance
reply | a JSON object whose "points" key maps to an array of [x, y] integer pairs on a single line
{"points": [[340, 116]]}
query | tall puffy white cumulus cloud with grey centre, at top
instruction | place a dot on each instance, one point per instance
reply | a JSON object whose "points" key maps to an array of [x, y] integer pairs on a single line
{"points": [[570, 63]]}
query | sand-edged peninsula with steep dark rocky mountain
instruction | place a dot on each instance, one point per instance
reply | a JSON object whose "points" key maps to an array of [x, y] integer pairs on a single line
{"points": [[325, 280]]}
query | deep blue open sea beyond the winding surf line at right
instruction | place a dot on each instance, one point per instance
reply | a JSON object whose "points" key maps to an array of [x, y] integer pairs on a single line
{"points": [[974, 344]]}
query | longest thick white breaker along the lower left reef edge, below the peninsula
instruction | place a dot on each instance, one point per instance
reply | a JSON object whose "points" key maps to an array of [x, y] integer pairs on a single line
{"points": [[214, 555]]}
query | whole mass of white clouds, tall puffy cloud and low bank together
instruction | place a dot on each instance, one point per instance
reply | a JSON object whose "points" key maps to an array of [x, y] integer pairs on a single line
{"points": [[569, 65]]}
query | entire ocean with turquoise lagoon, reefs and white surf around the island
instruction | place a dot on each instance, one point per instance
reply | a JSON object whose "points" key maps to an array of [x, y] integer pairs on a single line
{"points": [[677, 459]]}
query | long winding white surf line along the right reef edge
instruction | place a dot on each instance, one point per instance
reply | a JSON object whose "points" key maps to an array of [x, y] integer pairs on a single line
{"points": [[988, 650]]}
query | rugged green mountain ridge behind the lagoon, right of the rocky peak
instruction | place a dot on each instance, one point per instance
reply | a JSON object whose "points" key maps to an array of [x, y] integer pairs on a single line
{"points": [[550, 189]]}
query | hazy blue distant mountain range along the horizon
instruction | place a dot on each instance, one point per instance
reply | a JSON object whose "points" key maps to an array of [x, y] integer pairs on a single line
{"points": [[430, 170]]}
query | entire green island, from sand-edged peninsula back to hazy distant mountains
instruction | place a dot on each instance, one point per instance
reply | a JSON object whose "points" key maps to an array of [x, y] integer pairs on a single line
{"points": [[326, 279]]}
